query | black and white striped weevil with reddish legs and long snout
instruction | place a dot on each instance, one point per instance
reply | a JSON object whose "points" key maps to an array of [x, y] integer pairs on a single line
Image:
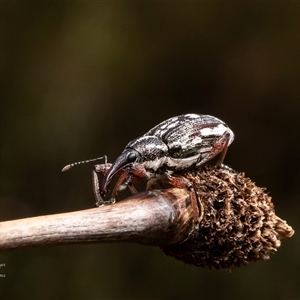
{"points": [[178, 144]]}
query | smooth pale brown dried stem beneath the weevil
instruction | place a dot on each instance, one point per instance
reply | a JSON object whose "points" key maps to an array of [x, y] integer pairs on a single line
{"points": [[150, 218]]}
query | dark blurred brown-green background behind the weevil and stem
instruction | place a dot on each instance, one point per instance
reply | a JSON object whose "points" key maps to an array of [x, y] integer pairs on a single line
{"points": [[81, 79]]}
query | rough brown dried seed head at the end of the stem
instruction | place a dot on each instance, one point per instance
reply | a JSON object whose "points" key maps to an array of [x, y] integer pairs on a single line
{"points": [[239, 224]]}
